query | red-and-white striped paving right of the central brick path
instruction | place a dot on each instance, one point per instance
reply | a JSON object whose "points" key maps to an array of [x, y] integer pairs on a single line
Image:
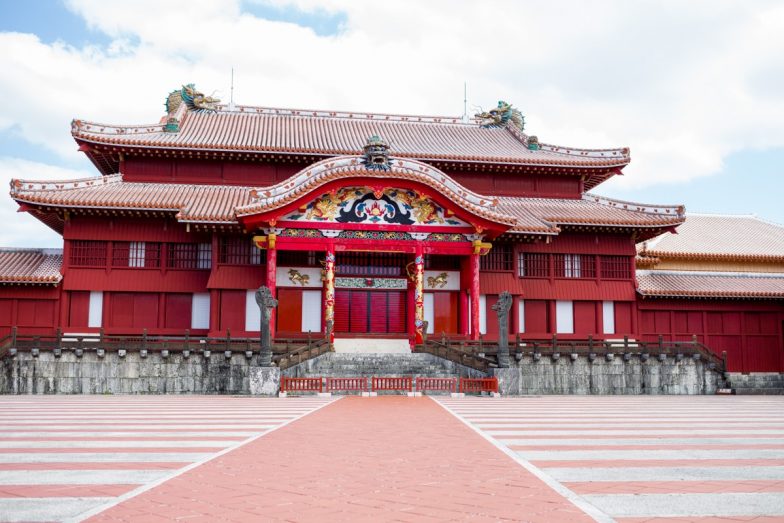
{"points": [[663, 438]]}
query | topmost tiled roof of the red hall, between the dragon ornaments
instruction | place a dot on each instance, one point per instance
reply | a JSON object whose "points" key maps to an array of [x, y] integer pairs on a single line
{"points": [[324, 133]]}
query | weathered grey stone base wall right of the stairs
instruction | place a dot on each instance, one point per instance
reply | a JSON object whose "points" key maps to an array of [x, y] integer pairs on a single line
{"points": [[617, 374]]}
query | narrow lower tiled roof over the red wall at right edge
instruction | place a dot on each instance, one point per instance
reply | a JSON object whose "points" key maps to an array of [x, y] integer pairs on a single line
{"points": [[710, 284]]}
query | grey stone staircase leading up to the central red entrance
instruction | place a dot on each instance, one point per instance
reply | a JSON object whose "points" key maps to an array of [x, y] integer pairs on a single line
{"points": [[349, 365]]}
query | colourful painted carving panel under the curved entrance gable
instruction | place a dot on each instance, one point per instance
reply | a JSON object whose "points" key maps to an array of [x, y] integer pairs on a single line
{"points": [[351, 205]]}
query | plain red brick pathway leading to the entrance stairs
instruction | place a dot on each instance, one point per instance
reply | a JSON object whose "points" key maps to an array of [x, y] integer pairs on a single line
{"points": [[358, 459]]}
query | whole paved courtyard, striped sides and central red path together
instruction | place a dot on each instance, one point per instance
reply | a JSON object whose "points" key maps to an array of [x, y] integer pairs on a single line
{"points": [[542, 459]]}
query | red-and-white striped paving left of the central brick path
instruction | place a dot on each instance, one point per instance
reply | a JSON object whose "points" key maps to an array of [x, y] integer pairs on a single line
{"points": [[40, 443]]}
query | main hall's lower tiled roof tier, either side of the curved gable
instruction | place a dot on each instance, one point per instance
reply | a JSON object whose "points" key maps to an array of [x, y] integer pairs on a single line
{"points": [[218, 204]]}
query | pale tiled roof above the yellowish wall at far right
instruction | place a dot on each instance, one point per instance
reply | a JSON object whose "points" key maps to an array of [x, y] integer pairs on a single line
{"points": [[720, 237]]}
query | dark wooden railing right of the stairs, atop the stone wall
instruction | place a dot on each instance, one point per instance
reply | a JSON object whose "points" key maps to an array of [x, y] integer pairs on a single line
{"points": [[482, 355]]}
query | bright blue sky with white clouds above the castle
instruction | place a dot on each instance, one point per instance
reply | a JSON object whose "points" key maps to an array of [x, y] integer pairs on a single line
{"points": [[695, 89]]}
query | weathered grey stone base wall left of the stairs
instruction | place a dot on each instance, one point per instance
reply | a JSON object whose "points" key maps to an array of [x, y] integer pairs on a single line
{"points": [[135, 373]]}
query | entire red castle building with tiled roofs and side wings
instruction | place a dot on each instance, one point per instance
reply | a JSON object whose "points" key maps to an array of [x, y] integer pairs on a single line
{"points": [[375, 226]]}
